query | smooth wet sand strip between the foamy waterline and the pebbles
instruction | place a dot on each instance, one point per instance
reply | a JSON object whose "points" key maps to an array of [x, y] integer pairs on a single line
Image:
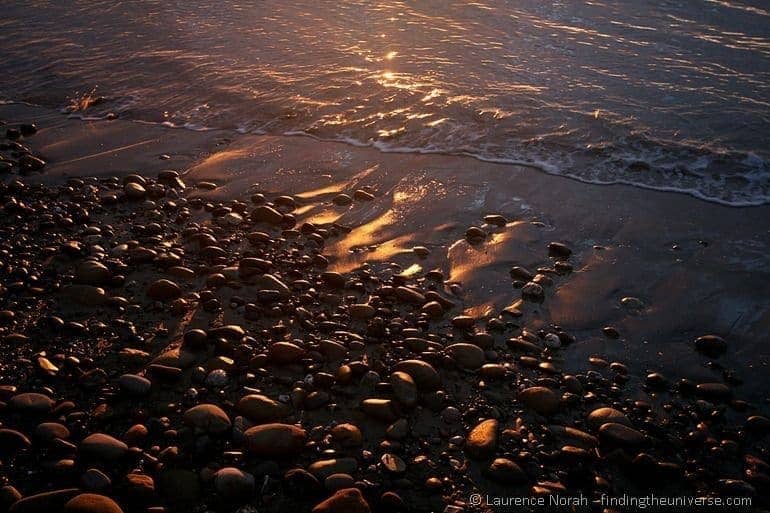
{"points": [[639, 228]]}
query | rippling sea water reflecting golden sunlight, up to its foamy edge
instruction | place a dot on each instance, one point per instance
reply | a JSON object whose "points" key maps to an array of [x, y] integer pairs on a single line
{"points": [[670, 95]]}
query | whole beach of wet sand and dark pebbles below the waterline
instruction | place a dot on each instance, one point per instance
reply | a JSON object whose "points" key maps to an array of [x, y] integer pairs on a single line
{"points": [[510, 360]]}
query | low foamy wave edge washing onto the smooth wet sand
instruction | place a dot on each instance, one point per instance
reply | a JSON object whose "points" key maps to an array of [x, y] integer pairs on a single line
{"points": [[727, 178]]}
